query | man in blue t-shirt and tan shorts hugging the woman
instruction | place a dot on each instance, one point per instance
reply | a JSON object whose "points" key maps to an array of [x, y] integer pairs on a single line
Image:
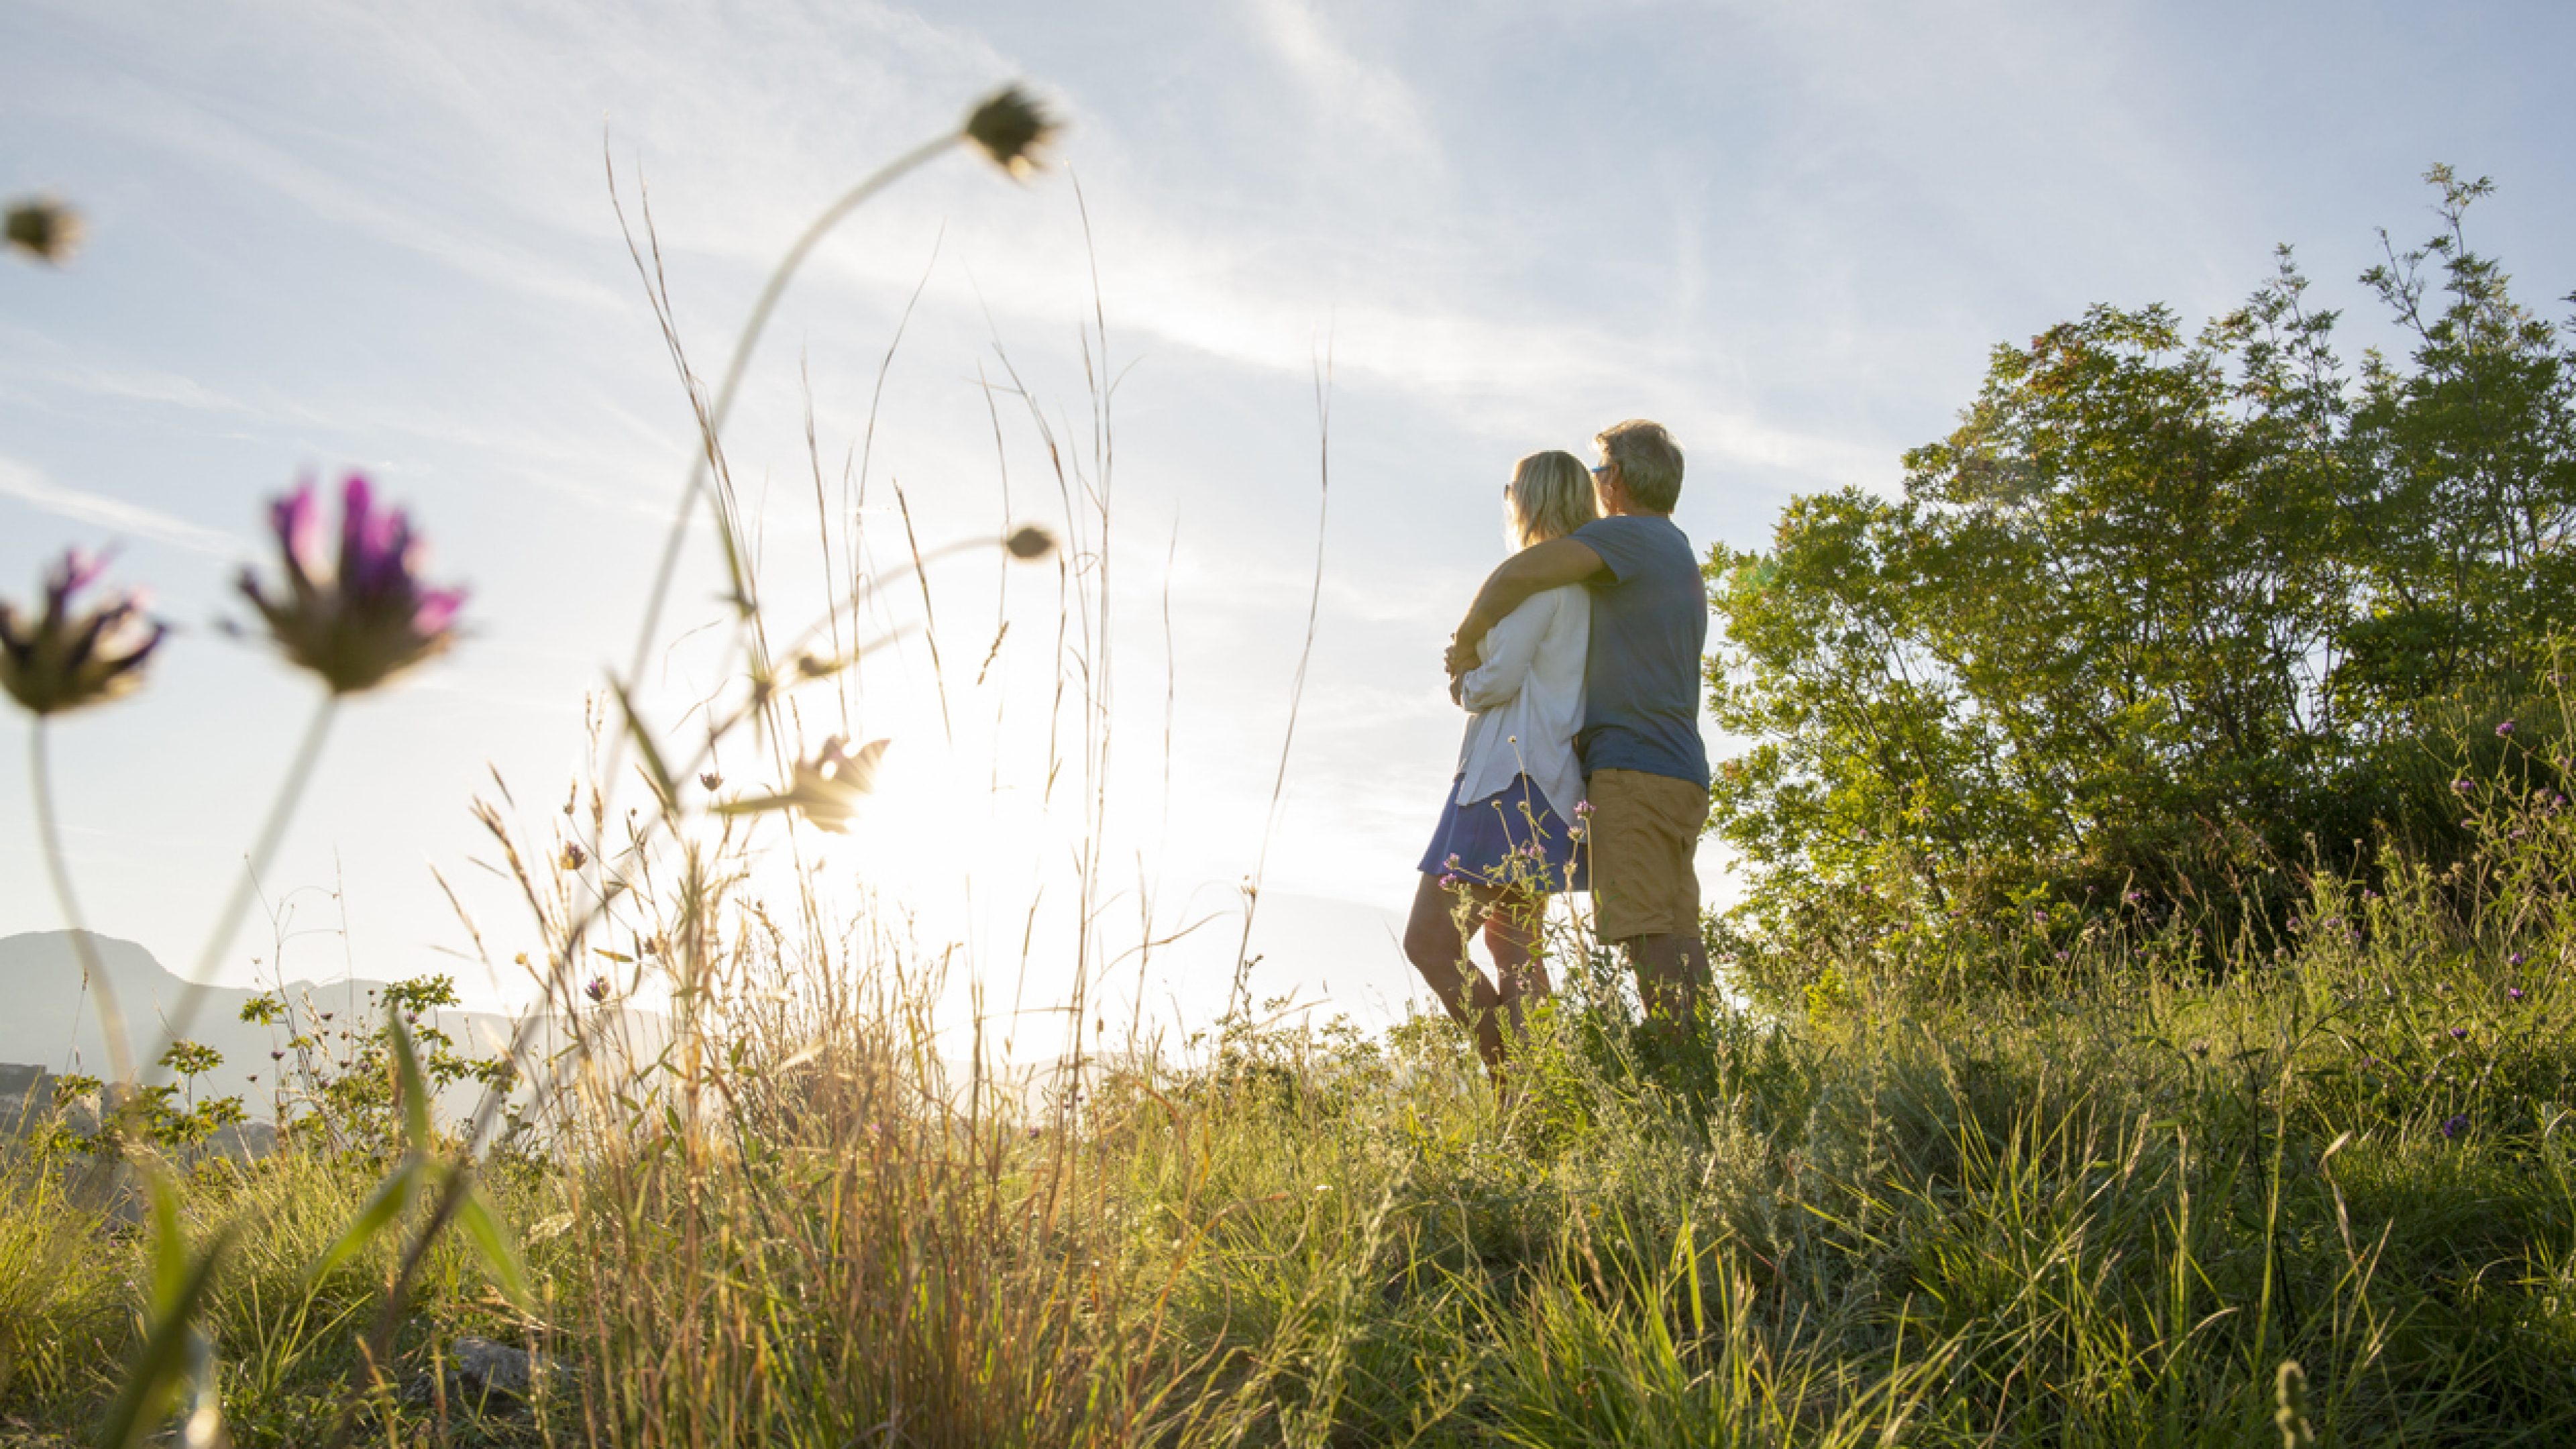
{"points": [[1645, 767]]}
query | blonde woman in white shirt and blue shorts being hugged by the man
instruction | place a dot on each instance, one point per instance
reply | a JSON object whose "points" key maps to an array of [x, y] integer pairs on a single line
{"points": [[1506, 837]]}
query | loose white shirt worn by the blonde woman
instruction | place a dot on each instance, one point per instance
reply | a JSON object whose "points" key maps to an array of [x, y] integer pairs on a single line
{"points": [[1529, 700]]}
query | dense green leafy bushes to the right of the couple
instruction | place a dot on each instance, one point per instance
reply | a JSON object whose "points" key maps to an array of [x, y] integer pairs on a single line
{"points": [[2163, 612]]}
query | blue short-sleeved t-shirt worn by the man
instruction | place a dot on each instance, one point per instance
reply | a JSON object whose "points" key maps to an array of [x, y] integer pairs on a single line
{"points": [[1650, 625]]}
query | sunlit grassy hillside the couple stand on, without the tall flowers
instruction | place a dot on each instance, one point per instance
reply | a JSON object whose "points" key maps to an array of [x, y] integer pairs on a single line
{"points": [[2320, 1200]]}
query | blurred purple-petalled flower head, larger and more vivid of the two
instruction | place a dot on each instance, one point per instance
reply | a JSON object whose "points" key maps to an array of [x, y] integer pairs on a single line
{"points": [[359, 618]]}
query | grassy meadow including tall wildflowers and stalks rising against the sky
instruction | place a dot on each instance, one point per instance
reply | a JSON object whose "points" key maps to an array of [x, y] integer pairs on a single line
{"points": [[2165, 1172]]}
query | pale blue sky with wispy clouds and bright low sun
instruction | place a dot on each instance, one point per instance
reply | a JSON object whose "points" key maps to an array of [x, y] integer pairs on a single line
{"points": [[1333, 264]]}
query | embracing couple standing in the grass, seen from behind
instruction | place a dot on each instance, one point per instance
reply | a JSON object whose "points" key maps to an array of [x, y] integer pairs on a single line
{"points": [[1583, 762]]}
